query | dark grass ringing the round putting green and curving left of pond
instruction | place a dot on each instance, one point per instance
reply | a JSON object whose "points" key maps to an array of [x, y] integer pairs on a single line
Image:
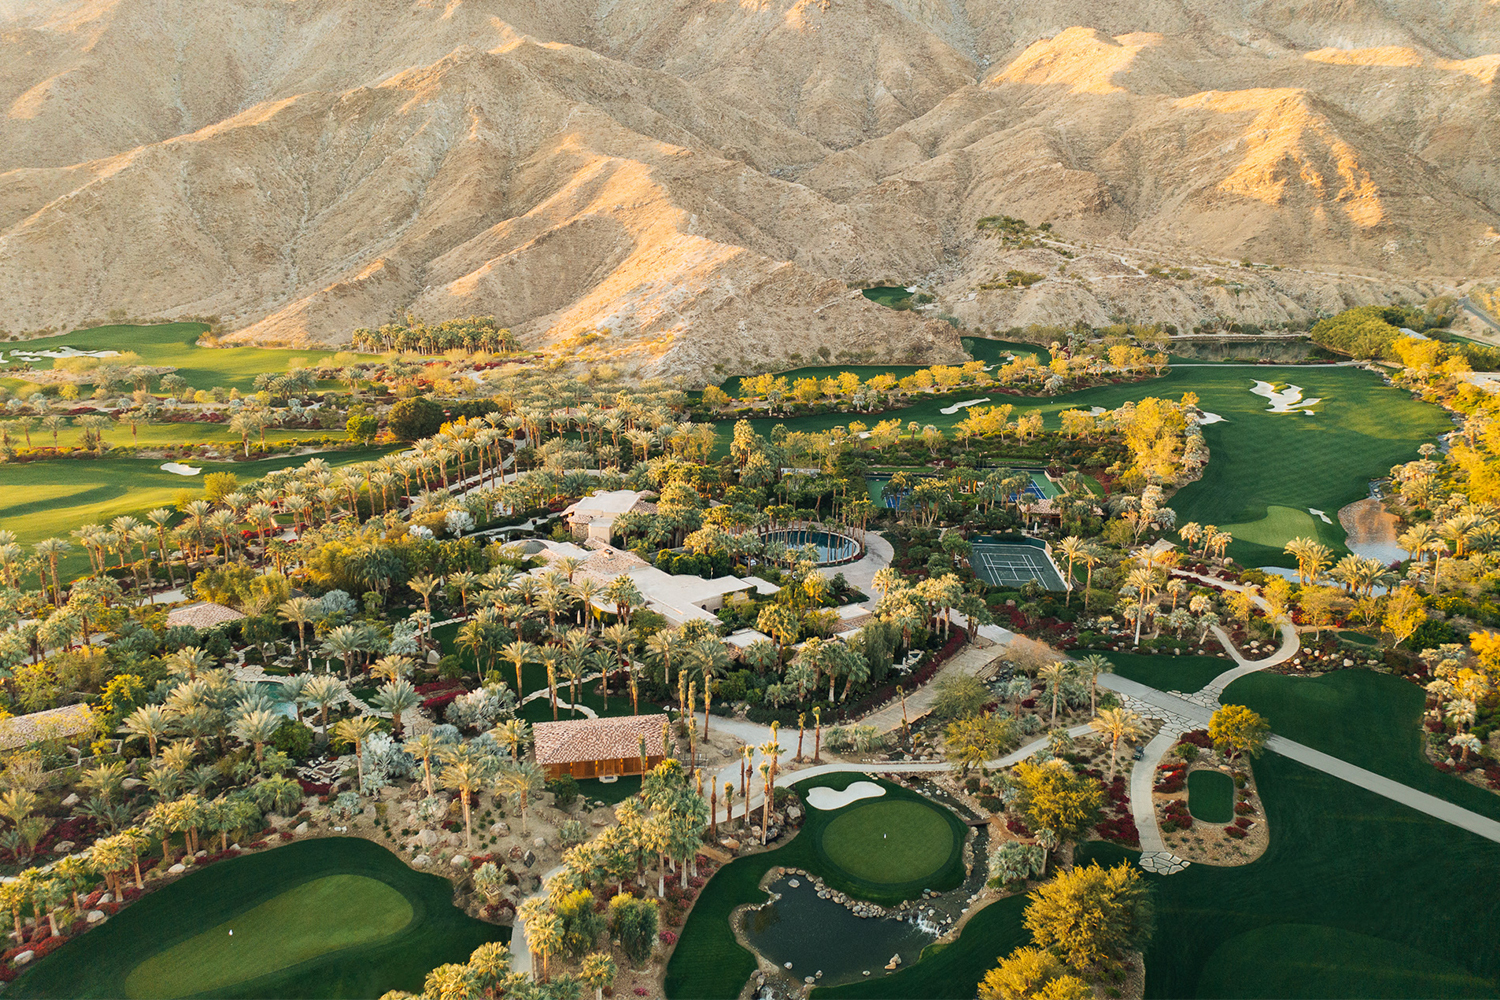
{"points": [[710, 965]]}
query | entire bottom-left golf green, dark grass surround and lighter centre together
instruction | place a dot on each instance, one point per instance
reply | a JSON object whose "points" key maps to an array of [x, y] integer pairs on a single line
{"points": [[320, 918]]}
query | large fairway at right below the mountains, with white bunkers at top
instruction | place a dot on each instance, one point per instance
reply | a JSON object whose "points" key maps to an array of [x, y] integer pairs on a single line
{"points": [[1261, 461]]}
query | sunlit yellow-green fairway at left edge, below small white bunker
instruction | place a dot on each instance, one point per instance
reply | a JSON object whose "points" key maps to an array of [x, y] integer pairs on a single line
{"points": [[56, 497]]}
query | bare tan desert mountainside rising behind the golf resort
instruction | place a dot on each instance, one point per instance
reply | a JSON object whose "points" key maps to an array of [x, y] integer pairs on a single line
{"points": [[679, 187]]}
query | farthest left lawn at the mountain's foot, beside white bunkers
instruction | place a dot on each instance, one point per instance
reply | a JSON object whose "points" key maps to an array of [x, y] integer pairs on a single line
{"points": [[173, 344]]}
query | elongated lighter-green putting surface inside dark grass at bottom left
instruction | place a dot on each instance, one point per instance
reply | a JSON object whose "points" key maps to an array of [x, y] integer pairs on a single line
{"points": [[313, 920]]}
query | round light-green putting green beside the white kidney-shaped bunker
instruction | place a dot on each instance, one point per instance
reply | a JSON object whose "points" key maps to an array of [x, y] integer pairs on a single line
{"points": [[889, 842]]}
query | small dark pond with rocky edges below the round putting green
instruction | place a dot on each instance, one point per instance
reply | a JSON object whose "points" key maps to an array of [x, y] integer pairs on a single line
{"points": [[824, 936]]}
